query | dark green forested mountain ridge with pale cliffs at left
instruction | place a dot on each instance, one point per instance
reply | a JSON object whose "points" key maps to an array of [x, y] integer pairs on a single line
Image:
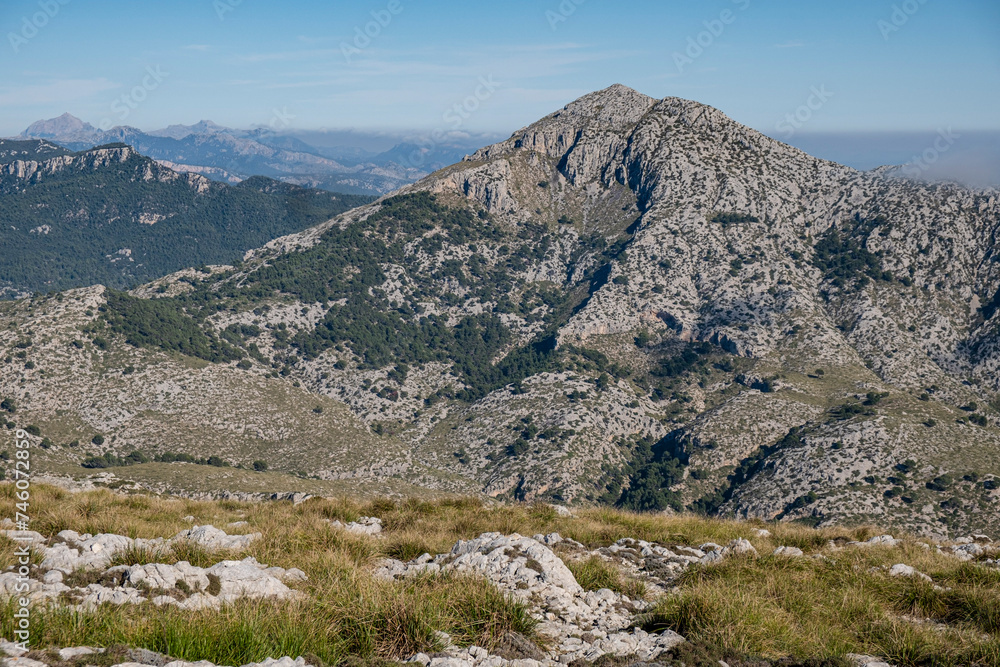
{"points": [[113, 216]]}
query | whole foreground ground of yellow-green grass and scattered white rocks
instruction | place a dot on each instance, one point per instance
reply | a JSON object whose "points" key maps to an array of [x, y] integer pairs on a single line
{"points": [[321, 581]]}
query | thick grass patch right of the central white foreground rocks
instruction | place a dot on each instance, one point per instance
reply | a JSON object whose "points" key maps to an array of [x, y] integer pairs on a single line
{"points": [[812, 608]]}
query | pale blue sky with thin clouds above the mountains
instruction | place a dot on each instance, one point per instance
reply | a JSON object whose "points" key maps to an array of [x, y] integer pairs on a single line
{"points": [[928, 64]]}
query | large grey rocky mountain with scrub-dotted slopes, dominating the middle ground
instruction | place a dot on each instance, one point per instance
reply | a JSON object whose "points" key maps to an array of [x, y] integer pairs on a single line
{"points": [[632, 301]]}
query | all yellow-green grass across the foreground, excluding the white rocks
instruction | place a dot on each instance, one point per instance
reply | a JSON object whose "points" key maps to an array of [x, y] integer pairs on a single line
{"points": [[807, 608]]}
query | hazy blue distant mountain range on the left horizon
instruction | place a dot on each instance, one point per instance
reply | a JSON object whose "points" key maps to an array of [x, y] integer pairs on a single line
{"points": [[230, 156]]}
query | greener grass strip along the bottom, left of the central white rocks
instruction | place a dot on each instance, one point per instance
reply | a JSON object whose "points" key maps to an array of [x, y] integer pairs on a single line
{"points": [[346, 615]]}
